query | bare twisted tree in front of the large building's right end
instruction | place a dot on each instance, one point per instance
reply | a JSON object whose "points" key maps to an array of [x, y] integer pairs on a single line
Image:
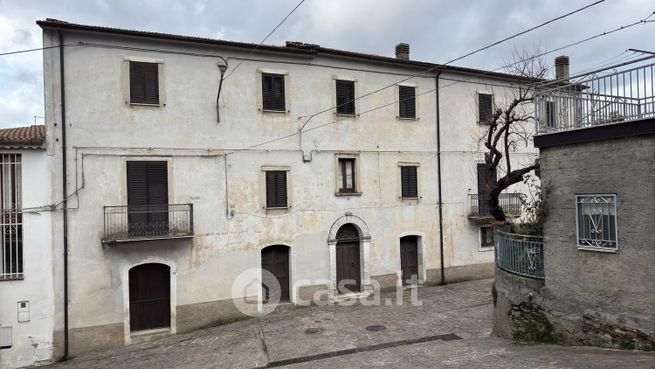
{"points": [[510, 126]]}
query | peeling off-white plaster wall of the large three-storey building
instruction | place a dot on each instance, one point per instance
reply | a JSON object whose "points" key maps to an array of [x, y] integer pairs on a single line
{"points": [[104, 131]]}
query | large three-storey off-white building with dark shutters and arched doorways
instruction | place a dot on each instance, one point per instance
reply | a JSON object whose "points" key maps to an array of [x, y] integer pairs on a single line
{"points": [[173, 193]]}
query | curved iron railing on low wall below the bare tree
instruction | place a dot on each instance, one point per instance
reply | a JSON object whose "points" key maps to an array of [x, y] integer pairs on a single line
{"points": [[520, 254]]}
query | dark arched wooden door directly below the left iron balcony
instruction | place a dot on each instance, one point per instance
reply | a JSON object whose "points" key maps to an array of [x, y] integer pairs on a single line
{"points": [[150, 297]]}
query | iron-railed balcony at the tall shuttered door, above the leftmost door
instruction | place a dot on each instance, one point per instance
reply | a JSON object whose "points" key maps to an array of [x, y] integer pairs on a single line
{"points": [[127, 223]]}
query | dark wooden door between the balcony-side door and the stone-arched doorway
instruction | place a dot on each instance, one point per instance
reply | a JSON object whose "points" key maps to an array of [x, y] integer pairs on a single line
{"points": [[275, 259]]}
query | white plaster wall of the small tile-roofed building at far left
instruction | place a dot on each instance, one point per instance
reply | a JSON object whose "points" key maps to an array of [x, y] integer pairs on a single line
{"points": [[31, 341]]}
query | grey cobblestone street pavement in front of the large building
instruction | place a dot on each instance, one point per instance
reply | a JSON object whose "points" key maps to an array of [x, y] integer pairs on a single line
{"points": [[449, 330]]}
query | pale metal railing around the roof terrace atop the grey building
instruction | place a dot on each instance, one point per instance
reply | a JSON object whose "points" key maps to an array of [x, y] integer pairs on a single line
{"points": [[596, 100]]}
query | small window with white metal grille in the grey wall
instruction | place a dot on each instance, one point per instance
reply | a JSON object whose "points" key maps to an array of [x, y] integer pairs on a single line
{"points": [[596, 222]]}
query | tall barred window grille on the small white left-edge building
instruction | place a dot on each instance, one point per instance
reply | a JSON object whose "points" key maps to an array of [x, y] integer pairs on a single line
{"points": [[11, 250]]}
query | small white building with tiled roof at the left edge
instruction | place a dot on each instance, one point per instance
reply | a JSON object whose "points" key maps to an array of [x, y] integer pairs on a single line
{"points": [[26, 279]]}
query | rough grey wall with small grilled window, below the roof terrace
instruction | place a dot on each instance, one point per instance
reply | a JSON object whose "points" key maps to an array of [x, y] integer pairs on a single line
{"points": [[601, 298]]}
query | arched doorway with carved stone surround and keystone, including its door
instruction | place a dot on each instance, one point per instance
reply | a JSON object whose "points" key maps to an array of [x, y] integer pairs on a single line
{"points": [[355, 225]]}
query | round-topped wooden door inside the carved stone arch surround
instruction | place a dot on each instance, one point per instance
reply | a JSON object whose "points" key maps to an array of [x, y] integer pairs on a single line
{"points": [[349, 276]]}
